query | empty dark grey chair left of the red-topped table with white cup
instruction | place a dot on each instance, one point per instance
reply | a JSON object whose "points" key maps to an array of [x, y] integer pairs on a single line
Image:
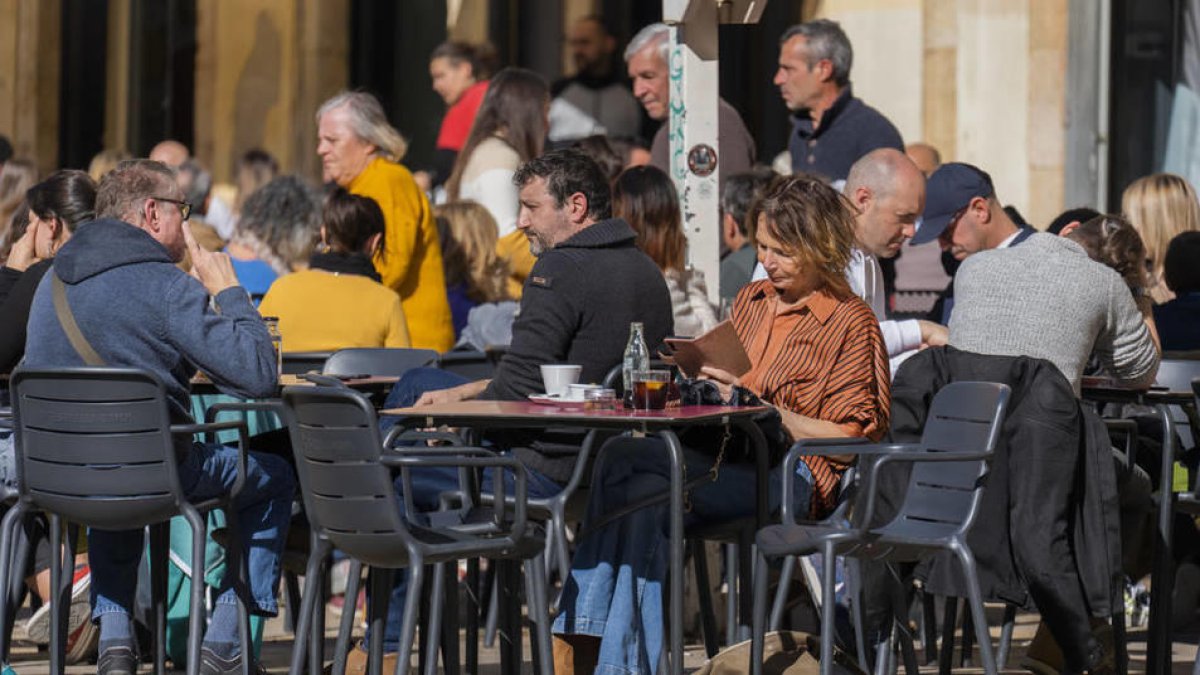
{"points": [[346, 479]]}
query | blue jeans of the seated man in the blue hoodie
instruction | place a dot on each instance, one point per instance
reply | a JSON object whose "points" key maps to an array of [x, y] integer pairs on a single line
{"points": [[265, 509]]}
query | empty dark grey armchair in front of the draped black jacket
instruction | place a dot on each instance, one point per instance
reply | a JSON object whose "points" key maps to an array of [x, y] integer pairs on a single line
{"points": [[940, 505]]}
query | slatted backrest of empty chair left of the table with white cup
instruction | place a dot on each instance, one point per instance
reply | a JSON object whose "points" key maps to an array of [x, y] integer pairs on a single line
{"points": [[349, 495]]}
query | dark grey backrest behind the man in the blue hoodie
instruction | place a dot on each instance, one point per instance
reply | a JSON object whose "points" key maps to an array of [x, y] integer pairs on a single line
{"points": [[94, 445]]}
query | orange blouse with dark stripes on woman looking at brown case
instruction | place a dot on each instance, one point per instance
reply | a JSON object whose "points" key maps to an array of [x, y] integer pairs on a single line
{"points": [[824, 360]]}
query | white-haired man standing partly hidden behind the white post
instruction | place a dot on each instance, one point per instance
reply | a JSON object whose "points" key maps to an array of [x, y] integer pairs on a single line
{"points": [[647, 61]]}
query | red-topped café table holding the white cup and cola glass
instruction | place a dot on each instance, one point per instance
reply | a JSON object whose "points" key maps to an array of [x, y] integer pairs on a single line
{"points": [[664, 423]]}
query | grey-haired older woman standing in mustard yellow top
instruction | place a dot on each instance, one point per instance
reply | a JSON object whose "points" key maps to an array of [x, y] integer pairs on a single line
{"points": [[361, 152]]}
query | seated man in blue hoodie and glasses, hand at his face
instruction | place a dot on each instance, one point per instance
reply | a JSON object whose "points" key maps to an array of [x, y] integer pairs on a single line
{"points": [[129, 304]]}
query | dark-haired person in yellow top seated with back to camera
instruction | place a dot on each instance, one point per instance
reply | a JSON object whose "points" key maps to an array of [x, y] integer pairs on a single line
{"points": [[339, 302]]}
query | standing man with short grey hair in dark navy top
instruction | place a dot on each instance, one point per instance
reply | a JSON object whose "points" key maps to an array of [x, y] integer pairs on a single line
{"points": [[832, 129]]}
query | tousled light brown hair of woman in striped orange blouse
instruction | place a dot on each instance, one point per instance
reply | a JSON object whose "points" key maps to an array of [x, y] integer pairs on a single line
{"points": [[814, 224]]}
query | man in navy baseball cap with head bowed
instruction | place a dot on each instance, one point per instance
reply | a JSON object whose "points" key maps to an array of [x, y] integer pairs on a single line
{"points": [[964, 216]]}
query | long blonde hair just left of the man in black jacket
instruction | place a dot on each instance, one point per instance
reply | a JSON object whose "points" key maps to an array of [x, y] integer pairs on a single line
{"points": [[469, 252]]}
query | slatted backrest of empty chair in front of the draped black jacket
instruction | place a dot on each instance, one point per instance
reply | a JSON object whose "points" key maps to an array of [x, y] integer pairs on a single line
{"points": [[965, 417]]}
